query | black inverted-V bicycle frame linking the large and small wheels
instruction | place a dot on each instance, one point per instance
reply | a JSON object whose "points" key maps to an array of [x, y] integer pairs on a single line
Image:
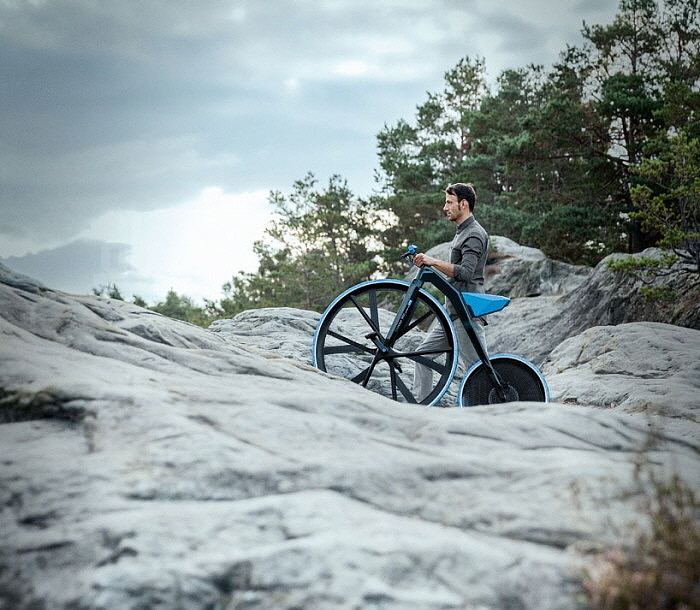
{"points": [[437, 279]]}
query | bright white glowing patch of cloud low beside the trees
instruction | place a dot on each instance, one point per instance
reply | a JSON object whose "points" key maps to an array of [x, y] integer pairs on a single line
{"points": [[192, 248]]}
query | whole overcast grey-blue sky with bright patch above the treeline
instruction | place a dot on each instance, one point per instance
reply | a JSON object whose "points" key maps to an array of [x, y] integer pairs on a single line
{"points": [[139, 139]]}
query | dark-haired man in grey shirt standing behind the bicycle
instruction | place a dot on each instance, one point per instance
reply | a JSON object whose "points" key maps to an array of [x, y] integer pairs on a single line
{"points": [[469, 250]]}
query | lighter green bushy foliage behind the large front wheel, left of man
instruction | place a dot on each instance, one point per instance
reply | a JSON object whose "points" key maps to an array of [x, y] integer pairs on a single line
{"points": [[320, 242]]}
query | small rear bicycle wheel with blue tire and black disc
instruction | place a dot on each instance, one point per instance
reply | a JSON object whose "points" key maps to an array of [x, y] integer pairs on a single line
{"points": [[523, 379]]}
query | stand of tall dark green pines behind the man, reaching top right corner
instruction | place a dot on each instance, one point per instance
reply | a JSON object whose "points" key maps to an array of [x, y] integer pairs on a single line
{"points": [[550, 154]]}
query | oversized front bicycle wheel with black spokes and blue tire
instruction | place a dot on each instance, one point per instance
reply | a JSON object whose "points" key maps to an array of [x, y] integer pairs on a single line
{"points": [[349, 341]]}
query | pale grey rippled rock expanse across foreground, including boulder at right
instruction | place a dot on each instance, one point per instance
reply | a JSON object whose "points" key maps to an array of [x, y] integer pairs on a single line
{"points": [[148, 463]]}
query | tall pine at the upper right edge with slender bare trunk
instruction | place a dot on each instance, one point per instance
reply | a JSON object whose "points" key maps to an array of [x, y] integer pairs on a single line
{"points": [[643, 77]]}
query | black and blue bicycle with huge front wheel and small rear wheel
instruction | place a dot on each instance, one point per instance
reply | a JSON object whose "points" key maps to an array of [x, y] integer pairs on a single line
{"points": [[397, 315]]}
